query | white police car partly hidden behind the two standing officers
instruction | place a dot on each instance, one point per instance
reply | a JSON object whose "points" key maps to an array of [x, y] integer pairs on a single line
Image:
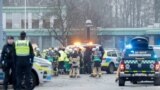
{"points": [[41, 71]]}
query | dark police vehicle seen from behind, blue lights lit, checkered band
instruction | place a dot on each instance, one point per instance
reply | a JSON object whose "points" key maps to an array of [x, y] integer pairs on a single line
{"points": [[139, 63]]}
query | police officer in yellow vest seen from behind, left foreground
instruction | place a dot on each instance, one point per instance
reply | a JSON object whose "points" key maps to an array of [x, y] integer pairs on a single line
{"points": [[24, 61]]}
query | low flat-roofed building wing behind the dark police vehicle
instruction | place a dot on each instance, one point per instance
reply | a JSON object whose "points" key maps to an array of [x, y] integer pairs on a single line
{"points": [[119, 37]]}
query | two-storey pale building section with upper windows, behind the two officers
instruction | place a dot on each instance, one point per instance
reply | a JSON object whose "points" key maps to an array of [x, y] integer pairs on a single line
{"points": [[36, 24]]}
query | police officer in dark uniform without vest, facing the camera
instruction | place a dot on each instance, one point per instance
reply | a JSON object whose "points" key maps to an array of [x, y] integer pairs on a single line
{"points": [[7, 61]]}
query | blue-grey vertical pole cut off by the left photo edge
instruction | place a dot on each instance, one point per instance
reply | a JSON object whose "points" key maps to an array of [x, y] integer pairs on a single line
{"points": [[1, 28]]}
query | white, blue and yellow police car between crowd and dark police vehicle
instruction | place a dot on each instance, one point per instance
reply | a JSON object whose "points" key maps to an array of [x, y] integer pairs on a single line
{"points": [[111, 59]]}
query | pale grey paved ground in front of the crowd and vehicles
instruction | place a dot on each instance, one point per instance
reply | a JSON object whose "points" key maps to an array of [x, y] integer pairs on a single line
{"points": [[106, 82]]}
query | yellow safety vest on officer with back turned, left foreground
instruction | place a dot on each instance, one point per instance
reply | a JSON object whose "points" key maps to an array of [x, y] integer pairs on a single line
{"points": [[22, 48]]}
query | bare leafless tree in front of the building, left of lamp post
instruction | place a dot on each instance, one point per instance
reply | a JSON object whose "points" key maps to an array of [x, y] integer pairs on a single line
{"points": [[67, 17]]}
